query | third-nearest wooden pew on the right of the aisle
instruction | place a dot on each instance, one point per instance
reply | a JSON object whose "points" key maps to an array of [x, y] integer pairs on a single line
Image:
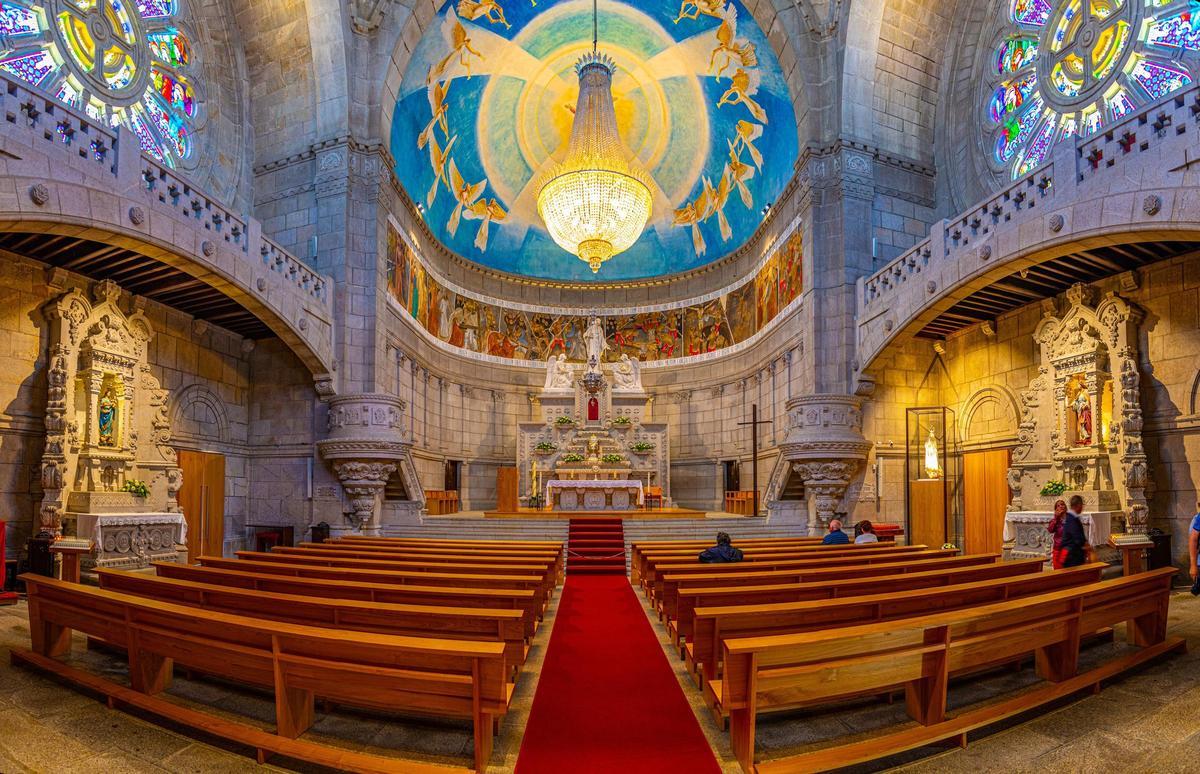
{"points": [[689, 599]]}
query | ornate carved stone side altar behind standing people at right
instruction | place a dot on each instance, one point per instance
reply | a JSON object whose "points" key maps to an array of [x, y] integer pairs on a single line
{"points": [[1081, 429]]}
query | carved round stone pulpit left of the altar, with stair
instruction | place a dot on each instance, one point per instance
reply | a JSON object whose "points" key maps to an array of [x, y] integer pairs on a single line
{"points": [[367, 445]]}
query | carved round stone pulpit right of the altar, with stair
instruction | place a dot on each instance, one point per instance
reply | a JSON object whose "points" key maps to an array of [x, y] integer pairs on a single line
{"points": [[826, 449]]}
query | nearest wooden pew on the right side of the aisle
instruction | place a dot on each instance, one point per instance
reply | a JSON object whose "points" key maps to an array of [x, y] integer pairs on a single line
{"points": [[920, 656]]}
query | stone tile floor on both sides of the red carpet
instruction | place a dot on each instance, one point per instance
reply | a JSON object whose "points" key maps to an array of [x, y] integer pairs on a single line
{"points": [[1149, 722]]}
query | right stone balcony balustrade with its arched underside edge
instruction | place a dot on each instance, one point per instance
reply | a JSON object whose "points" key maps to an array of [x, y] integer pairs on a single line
{"points": [[1132, 179]]}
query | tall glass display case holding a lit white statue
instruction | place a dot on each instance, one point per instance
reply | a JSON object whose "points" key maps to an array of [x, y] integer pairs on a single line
{"points": [[934, 478]]}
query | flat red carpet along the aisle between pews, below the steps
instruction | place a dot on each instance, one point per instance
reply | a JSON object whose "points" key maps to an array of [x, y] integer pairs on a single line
{"points": [[608, 700]]}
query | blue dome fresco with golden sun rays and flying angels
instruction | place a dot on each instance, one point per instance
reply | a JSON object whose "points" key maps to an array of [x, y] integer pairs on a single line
{"points": [[487, 106]]}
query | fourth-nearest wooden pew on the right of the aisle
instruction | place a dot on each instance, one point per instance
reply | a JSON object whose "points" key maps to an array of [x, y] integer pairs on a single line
{"points": [[814, 574]]}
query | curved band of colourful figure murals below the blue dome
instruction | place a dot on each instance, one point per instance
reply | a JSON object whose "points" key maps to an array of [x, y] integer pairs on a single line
{"points": [[698, 329]]}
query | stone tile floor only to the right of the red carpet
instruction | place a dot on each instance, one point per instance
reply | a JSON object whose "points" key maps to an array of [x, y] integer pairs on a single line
{"points": [[1145, 723]]}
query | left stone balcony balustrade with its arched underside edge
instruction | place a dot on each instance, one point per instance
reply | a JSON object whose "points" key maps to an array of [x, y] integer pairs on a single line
{"points": [[64, 173]]}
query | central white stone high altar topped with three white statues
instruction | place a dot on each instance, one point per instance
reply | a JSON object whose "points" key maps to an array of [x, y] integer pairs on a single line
{"points": [[592, 425]]}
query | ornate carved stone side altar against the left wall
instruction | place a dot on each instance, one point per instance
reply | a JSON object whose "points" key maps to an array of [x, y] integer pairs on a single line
{"points": [[110, 475]]}
